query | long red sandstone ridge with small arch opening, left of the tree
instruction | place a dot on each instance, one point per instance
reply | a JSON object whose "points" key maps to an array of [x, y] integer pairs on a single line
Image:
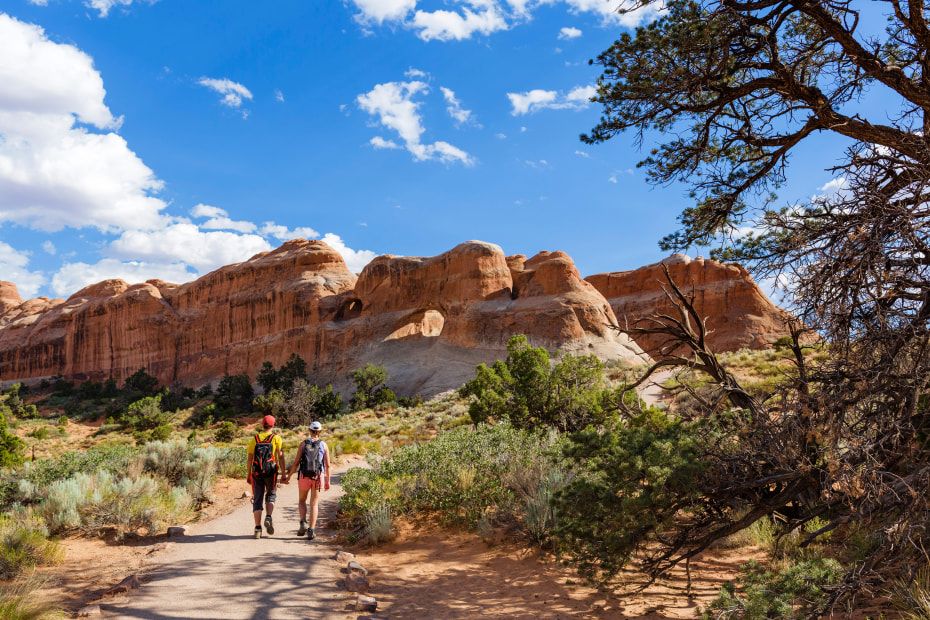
{"points": [[428, 320]]}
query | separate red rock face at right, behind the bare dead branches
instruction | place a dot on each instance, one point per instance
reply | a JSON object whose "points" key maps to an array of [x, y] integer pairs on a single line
{"points": [[737, 313]]}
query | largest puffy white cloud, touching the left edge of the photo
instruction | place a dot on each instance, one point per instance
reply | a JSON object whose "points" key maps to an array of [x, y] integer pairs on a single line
{"points": [[53, 172]]}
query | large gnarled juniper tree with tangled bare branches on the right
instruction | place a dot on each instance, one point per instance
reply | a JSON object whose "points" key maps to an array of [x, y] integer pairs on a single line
{"points": [[735, 88]]}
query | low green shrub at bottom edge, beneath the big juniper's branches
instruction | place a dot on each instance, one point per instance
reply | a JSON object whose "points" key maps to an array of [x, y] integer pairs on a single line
{"points": [[794, 592]]}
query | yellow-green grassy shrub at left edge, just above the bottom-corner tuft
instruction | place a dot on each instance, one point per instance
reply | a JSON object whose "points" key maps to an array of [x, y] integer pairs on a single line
{"points": [[24, 544]]}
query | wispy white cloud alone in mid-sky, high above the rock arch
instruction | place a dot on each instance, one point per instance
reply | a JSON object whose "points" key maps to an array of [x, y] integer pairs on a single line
{"points": [[393, 105]]}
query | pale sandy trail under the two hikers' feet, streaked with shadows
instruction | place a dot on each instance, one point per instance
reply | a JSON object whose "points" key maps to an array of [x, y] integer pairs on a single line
{"points": [[219, 570]]}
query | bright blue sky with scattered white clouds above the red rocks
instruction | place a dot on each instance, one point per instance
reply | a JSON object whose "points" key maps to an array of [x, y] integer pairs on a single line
{"points": [[144, 139]]}
